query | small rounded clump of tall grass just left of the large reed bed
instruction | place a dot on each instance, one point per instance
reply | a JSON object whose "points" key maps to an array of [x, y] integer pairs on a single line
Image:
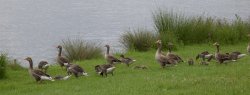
{"points": [[138, 39]]}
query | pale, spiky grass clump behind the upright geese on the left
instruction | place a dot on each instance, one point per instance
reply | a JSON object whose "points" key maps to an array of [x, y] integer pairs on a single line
{"points": [[78, 49]]}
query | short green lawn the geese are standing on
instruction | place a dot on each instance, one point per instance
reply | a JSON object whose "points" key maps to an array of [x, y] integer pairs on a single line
{"points": [[214, 79]]}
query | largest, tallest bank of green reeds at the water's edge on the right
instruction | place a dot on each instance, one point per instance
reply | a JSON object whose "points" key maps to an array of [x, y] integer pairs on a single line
{"points": [[174, 27]]}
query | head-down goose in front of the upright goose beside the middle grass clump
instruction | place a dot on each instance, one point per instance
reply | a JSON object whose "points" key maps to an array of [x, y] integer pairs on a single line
{"points": [[105, 69]]}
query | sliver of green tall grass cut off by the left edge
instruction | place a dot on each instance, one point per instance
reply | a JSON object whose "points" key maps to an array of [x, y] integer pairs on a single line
{"points": [[3, 62]]}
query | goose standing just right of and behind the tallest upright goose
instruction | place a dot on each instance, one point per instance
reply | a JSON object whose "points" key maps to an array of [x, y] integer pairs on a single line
{"points": [[171, 55]]}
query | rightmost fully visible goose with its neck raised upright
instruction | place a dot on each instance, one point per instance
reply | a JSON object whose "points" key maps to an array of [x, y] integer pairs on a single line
{"points": [[219, 56]]}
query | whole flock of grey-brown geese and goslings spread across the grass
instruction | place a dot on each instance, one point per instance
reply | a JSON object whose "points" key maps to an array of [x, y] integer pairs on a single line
{"points": [[164, 59]]}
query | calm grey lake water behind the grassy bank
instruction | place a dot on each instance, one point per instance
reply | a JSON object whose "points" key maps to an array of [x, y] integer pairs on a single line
{"points": [[35, 27]]}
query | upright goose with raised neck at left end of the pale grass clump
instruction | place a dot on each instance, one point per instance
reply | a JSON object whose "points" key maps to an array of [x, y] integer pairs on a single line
{"points": [[61, 60]]}
